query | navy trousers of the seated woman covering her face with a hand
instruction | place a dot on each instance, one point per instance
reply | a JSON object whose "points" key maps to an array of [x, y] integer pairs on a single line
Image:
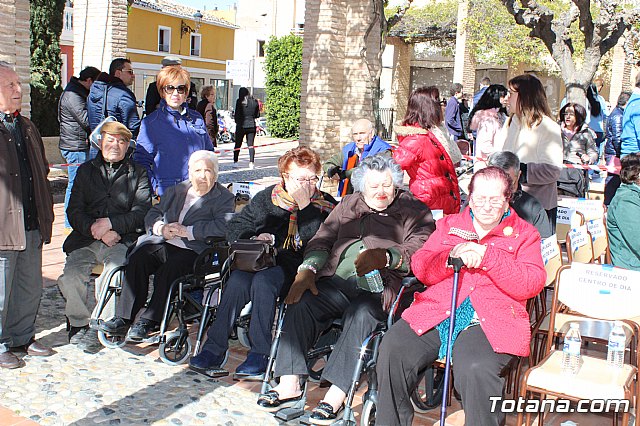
{"points": [[262, 288]]}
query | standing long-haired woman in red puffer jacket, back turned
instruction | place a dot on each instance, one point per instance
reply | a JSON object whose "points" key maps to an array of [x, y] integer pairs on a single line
{"points": [[424, 155]]}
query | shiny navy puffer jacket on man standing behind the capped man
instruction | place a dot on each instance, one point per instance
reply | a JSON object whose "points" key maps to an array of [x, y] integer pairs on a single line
{"points": [[121, 103]]}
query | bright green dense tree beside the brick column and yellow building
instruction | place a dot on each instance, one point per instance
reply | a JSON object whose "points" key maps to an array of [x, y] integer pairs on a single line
{"points": [[283, 68]]}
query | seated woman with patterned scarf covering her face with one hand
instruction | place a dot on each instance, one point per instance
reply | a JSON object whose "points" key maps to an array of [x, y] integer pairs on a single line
{"points": [[287, 215]]}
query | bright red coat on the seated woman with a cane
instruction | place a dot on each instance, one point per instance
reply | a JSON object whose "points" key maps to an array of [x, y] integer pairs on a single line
{"points": [[511, 272]]}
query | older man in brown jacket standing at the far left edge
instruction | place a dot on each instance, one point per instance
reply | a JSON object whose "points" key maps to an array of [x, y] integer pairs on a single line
{"points": [[25, 224]]}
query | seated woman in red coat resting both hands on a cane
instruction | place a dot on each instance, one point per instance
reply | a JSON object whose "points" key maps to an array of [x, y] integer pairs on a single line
{"points": [[503, 269]]}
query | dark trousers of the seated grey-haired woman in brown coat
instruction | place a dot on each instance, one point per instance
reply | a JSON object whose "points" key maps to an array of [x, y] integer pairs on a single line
{"points": [[361, 311]]}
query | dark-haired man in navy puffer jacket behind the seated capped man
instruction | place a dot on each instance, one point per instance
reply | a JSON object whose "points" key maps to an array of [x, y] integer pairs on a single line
{"points": [[113, 88]]}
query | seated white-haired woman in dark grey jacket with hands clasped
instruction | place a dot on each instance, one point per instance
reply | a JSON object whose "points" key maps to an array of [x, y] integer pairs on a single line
{"points": [[177, 228]]}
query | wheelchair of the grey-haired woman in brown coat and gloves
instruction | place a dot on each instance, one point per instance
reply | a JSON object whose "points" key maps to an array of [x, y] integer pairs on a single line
{"points": [[365, 366]]}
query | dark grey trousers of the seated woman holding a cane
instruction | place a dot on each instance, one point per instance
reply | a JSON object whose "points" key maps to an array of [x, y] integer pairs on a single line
{"points": [[476, 368]]}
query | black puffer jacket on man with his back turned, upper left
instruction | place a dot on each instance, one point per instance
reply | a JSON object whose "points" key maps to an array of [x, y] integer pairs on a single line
{"points": [[72, 115]]}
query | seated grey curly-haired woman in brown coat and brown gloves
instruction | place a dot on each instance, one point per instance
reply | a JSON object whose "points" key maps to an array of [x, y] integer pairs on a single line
{"points": [[373, 231]]}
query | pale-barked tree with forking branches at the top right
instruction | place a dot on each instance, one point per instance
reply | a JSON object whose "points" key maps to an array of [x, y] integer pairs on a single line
{"points": [[601, 34]]}
